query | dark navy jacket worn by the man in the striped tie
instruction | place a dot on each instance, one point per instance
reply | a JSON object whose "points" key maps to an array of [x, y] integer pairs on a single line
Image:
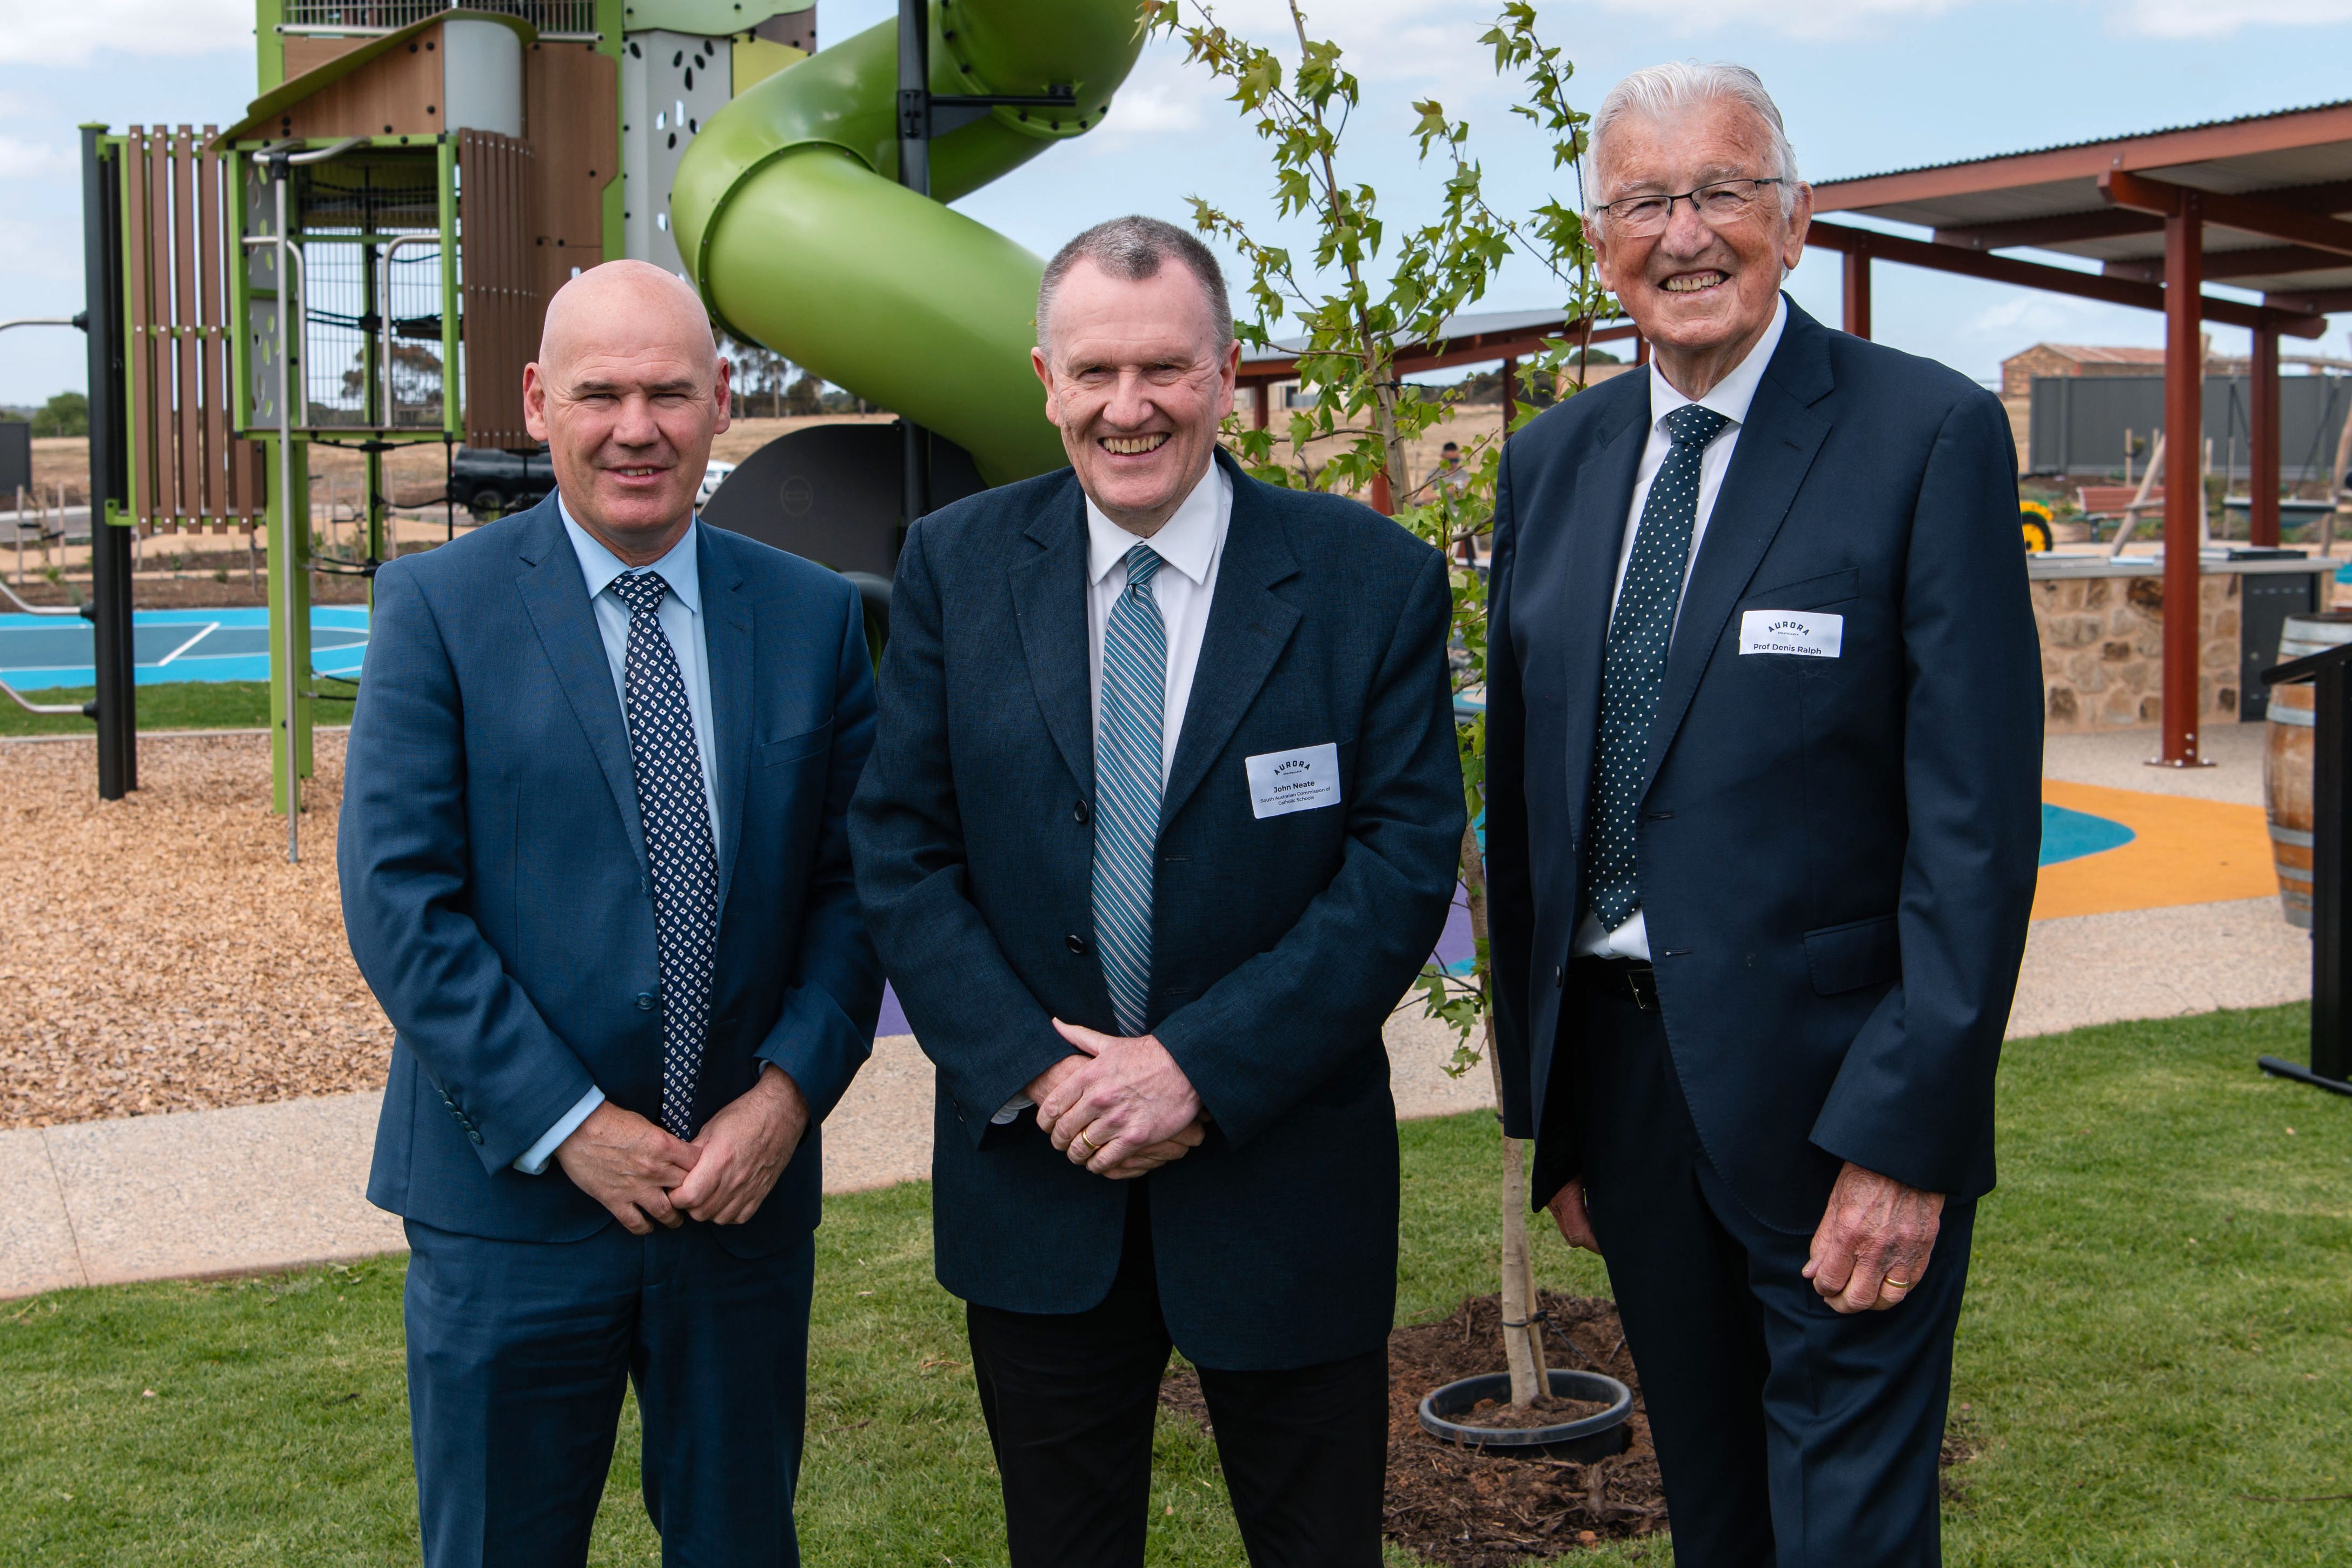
{"points": [[1278, 946]]}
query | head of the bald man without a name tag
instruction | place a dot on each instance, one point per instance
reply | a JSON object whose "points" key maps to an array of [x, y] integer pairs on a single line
{"points": [[627, 391]]}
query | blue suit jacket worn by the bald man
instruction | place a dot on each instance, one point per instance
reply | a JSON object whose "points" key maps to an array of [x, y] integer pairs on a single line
{"points": [[495, 880]]}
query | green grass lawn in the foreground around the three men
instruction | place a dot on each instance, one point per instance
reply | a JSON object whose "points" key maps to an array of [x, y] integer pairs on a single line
{"points": [[2160, 1332]]}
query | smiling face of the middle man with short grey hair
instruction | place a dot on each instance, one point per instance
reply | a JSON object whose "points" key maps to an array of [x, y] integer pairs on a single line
{"points": [[1137, 384]]}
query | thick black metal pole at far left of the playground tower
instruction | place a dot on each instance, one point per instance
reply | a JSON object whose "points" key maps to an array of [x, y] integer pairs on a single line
{"points": [[116, 706]]}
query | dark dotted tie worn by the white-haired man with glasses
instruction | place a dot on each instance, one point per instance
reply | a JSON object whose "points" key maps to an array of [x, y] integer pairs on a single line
{"points": [[1636, 666]]}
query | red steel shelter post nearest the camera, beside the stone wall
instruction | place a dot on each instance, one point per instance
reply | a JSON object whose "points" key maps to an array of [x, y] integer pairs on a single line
{"points": [[2184, 474]]}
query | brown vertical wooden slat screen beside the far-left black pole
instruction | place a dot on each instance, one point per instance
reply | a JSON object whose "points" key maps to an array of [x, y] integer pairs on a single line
{"points": [[187, 467]]}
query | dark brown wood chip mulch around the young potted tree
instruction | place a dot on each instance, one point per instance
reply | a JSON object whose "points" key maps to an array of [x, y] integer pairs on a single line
{"points": [[1485, 1510]]}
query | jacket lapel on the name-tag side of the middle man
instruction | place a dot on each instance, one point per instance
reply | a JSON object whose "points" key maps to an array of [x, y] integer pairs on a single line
{"points": [[1248, 634]]}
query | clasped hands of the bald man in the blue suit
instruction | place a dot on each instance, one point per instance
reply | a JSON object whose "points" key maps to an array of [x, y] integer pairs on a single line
{"points": [[646, 1177]]}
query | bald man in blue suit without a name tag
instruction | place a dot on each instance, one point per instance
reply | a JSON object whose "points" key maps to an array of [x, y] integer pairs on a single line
{"points": [[596, 869]]}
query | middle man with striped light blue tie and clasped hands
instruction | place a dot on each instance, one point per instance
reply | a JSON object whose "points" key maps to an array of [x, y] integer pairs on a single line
{"points": [[1161, 826]]}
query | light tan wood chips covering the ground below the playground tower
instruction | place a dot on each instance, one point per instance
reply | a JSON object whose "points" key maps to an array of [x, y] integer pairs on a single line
{"points": [[159, 953]]}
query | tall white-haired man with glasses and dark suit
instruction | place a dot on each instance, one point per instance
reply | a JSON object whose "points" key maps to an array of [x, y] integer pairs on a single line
{"points": [[1763, 826]]}
